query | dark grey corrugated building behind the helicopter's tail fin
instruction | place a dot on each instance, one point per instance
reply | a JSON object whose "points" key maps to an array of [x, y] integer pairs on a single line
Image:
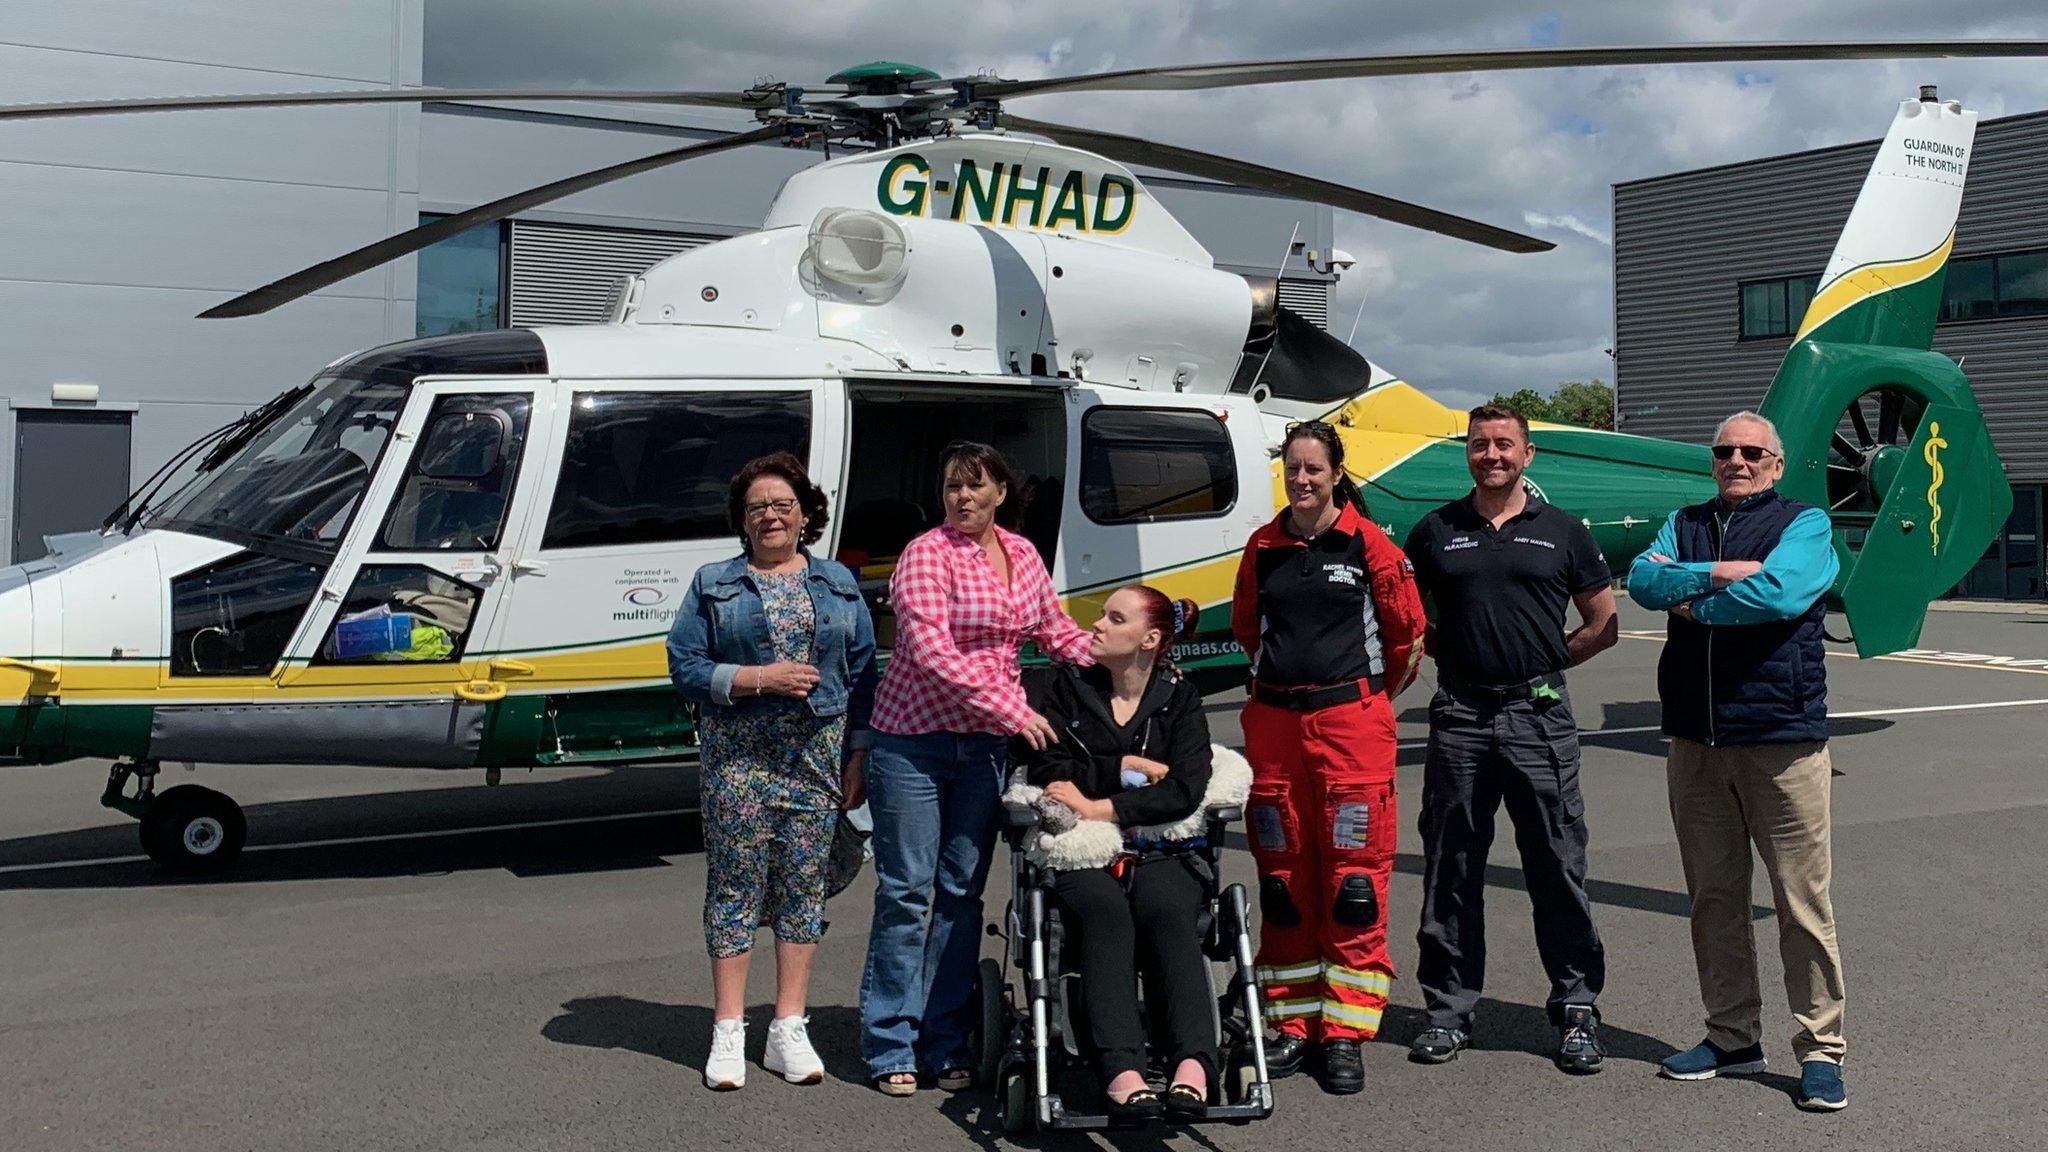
{"points": [[1713, 272]]}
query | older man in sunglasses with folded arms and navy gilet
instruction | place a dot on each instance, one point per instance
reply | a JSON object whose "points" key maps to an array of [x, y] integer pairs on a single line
{"points": [[1744, 690]]}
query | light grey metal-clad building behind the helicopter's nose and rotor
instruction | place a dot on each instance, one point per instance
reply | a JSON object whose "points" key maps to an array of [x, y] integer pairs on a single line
{"points": [[118, 231]]}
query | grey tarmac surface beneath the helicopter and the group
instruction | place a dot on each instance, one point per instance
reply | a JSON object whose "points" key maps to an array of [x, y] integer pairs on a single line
{"points": [[411, 960]]}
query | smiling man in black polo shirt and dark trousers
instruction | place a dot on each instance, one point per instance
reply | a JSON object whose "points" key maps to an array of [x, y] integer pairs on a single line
{"points": [[1500, 567]]}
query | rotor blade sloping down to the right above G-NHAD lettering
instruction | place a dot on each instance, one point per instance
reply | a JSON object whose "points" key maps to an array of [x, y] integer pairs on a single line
{"points": [[1134, 151]]}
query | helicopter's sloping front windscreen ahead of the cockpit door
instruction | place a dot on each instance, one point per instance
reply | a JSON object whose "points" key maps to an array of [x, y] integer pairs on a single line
{"points": [[300, 481]]}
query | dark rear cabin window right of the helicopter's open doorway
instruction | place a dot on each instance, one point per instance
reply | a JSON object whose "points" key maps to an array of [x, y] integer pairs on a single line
{"points": [[1156, 464]]}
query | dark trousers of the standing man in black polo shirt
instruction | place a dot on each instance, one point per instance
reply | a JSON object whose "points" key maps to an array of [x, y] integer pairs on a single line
{"points": [[1523, 755]]}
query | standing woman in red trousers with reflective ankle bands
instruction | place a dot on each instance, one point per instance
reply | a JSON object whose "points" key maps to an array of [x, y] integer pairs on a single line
{"points": [[1326, 608]]}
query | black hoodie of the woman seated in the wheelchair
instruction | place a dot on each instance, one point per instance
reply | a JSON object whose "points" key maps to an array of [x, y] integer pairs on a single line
{"points": [[1168, 727]]}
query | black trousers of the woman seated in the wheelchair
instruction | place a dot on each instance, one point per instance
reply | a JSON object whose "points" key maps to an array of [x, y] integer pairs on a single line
{"points": [[1115, 934]]}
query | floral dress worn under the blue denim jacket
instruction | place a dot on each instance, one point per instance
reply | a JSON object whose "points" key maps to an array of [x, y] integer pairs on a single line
{"points": [[771, 794]]}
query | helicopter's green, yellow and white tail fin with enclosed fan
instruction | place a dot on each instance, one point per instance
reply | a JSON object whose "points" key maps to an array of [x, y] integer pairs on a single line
{"points": [[1881, 431]]}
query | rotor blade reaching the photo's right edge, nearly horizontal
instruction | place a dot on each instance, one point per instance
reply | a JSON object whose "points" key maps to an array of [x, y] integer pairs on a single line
{"points": [[1502, 60]]}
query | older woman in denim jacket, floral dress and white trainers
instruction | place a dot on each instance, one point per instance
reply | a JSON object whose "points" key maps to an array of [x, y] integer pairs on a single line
{"points": [[779, 653]]}
